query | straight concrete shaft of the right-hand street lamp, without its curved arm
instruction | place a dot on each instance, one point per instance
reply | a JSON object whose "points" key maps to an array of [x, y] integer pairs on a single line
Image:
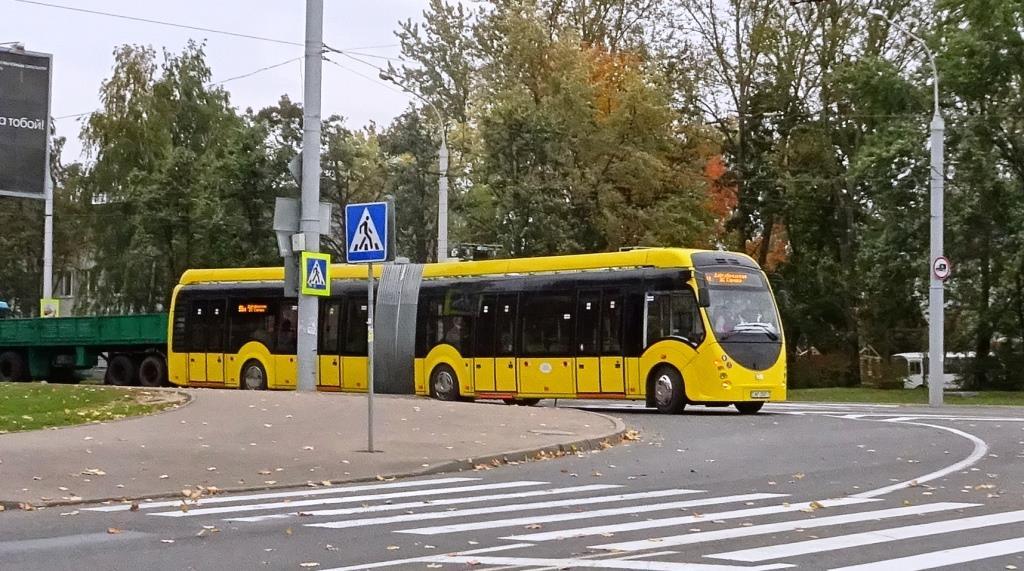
{"points": [[936, 292]]}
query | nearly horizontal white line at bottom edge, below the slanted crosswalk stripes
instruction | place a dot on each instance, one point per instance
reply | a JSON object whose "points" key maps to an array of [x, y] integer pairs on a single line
{"points": [[578, 563]]}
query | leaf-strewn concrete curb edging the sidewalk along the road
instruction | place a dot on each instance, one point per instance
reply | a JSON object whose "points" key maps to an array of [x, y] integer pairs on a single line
{"points": [[594, 444]]}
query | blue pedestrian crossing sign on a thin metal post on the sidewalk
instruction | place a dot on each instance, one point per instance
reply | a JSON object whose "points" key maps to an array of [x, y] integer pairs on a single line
{"points": [[367, 233]]}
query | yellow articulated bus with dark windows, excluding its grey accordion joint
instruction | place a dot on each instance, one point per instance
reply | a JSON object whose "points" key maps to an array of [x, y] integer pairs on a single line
{"points": [[671, 327]]}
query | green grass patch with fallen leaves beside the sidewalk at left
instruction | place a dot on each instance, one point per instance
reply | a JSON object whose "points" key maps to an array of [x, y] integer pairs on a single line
{"points": [[38, 406]]}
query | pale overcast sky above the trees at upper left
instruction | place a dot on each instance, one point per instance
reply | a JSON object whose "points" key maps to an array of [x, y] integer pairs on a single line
{"points": [[82, 47]]}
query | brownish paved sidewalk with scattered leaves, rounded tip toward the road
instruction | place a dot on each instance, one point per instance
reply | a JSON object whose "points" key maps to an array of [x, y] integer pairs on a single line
{"points": [[244, 441]]}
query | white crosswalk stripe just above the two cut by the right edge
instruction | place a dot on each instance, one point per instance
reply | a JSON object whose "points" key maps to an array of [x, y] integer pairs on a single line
{"points": [[701, 538]]}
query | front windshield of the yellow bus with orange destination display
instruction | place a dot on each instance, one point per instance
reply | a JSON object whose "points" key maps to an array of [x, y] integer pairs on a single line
{"points": [[741, 302]]}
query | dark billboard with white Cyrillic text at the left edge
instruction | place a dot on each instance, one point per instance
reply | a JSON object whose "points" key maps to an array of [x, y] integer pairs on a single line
{"points": [[25, 112]]}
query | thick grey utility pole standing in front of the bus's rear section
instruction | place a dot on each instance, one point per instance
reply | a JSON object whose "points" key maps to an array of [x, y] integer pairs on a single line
{"points": [[310, 217]]}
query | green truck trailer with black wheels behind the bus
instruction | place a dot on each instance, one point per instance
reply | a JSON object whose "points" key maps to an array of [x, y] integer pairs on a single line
{"points": [[134, 347]]}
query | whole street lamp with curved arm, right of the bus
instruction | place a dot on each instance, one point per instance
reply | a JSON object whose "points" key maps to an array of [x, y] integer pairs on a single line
{"points": [[940, 268]]}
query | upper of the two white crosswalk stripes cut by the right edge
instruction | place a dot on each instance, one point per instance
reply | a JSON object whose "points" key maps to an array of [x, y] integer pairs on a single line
{"points": [[870, 538]]}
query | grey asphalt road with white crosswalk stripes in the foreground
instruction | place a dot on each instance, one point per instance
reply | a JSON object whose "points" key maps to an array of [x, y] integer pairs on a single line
{"points": [[797, 487]]}
